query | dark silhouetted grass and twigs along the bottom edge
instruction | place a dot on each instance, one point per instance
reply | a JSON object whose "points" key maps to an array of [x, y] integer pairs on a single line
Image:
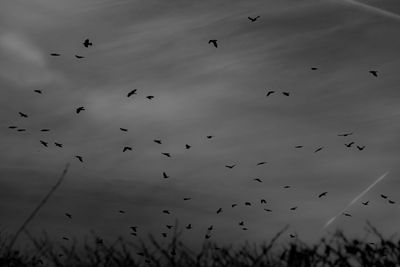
{"points": [[337, 251]]}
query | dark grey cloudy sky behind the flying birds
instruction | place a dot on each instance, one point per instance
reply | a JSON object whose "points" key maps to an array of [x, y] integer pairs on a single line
{"points": [[161, 49]]}
